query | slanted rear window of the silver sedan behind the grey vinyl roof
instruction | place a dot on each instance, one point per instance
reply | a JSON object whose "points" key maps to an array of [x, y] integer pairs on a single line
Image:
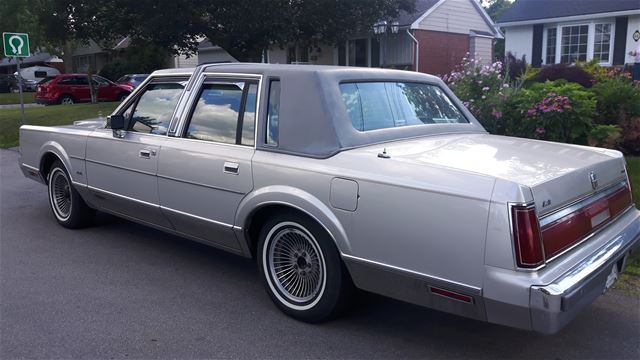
{"points": [[381, 105]]}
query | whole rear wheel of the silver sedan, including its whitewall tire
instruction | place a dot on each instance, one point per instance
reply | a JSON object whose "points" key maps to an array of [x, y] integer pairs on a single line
{"points": [[301, 268]]}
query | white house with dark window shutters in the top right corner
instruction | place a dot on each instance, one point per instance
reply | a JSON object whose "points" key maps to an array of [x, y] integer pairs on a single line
{"points": [[565, 31]]}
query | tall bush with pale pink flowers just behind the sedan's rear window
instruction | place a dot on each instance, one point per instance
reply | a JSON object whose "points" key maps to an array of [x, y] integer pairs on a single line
{"points": [[483, 89]]}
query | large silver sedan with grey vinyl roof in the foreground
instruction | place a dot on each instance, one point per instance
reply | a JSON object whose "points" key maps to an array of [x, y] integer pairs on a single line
{"points": [[335, 177]]}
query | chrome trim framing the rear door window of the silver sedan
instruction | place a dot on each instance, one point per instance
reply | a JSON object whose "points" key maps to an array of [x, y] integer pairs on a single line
{"points": [[186, 104]]}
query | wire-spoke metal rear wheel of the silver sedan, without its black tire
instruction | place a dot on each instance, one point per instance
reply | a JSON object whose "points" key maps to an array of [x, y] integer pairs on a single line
{"points": [[295, 264]]}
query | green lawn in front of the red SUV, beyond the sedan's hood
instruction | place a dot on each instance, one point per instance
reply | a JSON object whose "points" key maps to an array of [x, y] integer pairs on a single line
{"points": [[48, 115]]}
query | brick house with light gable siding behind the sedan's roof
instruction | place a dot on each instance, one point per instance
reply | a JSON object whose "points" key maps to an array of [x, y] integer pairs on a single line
{"points": [[432, 39]]}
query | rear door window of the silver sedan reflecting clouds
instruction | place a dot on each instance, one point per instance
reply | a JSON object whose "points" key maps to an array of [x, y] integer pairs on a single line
{"points": [[225, 113]]}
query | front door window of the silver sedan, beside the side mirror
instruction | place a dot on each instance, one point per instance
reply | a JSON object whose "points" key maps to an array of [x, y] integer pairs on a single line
{"points": [[153, 110]]}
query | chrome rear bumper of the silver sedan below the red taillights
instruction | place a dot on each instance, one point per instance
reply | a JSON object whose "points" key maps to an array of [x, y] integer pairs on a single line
{"points": [[556, 304]]}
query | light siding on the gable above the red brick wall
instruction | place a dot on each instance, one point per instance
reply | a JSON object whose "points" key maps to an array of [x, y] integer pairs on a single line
{"points": [[455, 16]]}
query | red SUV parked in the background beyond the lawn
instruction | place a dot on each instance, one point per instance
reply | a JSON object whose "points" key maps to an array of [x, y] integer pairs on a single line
{"points": [[73, 88]]}
